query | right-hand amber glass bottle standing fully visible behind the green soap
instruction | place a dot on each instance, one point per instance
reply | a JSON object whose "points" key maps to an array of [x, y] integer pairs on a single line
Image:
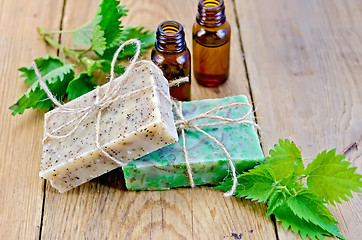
{"points": [[211, 43]]}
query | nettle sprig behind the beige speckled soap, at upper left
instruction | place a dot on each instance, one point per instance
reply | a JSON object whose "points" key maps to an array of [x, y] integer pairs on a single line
{"points": [[100, 37]]}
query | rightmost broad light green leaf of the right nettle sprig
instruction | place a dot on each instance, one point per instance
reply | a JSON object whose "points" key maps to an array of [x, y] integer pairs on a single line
{"points": [[330, 177]]}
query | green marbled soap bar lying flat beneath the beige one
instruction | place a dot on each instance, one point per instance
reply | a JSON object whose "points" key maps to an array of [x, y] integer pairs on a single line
{"points": [[166, 168]]}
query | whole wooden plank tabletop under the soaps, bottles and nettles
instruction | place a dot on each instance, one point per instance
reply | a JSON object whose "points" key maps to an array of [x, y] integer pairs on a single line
{"points": [[302, 68]]}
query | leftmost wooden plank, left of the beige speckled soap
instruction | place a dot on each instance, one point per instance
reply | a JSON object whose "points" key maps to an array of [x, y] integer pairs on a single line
{"points": [[21, 189]]}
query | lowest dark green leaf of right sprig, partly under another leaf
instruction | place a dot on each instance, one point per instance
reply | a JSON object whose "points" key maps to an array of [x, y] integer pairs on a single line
{"points": [[289, 220]]}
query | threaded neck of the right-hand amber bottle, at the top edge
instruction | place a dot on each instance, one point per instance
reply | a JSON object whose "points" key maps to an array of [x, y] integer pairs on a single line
{"points": [[211, 13]]}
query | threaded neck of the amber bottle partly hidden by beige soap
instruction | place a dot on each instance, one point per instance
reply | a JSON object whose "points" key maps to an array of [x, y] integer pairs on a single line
{"points": [[170, 37]]}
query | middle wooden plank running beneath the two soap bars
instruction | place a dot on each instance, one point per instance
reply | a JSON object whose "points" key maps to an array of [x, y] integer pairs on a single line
{"points": [[103, 209]]}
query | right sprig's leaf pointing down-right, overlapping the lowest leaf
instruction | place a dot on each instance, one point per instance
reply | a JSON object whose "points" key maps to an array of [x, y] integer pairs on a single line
{"points": [[309, 206]]}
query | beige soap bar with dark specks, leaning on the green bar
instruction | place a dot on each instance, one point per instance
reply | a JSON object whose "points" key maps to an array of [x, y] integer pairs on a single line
{"points": [[133, 126]]}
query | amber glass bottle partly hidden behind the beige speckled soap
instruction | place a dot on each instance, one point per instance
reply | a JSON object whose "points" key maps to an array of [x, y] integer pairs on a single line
{"points": [[173, 57]]}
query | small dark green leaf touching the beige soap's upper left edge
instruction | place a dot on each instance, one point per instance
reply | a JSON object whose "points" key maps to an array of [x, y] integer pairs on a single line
{"points": [[80, 85]]}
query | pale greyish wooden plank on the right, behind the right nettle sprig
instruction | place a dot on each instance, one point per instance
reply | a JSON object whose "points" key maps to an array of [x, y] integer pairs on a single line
{"points": [[304, 60]]}
